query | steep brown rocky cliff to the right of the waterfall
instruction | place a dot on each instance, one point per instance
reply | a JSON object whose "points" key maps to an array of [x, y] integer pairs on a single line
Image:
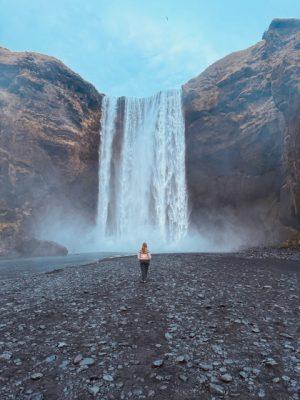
{"points": [[243, 135]]}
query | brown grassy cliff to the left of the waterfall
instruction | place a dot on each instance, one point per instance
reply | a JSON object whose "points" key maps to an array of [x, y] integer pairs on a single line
{"points": [[49, 137]]}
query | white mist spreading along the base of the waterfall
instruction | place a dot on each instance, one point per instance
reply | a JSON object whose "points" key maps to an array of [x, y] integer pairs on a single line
{"points": [[78, 236]]}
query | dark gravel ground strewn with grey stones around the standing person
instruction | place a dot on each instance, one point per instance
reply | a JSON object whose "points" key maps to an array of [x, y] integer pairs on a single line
{"points": [[204, 326]]}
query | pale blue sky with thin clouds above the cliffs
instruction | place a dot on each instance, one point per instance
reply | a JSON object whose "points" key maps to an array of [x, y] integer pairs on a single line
{"points": [[138, 47]]}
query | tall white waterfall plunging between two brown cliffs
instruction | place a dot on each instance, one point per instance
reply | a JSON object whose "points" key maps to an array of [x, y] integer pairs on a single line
{"points": [[142, 185]]}
